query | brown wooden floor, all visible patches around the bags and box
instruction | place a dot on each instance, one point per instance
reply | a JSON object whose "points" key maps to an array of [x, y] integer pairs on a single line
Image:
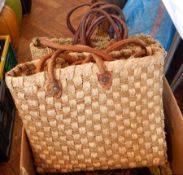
{"points": [[46, 19]]}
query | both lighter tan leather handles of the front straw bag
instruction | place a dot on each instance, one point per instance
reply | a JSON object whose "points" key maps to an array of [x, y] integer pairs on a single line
{"points": [[104, 77]]}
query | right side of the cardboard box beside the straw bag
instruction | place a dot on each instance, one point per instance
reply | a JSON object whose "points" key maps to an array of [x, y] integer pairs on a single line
{"points": [[175, 134]]}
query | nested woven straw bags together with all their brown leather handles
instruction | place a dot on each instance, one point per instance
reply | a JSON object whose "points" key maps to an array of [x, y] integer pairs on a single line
{"points": [[93, 103]]}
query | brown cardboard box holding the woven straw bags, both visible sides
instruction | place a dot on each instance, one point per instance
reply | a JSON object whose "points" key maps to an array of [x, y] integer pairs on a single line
{"points": [[174, 125]]}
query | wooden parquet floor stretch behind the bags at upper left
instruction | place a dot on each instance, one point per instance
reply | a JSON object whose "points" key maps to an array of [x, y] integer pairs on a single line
{"points": [[48, 18]]}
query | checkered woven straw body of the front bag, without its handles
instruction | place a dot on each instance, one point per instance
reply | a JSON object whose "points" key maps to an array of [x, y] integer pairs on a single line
{"points": [[88, 127]]}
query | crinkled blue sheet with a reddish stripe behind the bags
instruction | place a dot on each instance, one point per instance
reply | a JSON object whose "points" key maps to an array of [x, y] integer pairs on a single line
{"points": [[149, 17]]}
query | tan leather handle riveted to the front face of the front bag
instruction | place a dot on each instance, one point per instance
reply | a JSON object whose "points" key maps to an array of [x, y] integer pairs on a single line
{"points": [[53, 87]]}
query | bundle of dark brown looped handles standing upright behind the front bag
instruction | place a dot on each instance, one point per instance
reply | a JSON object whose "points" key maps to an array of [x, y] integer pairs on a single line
{"points": [[97, 14]]}
